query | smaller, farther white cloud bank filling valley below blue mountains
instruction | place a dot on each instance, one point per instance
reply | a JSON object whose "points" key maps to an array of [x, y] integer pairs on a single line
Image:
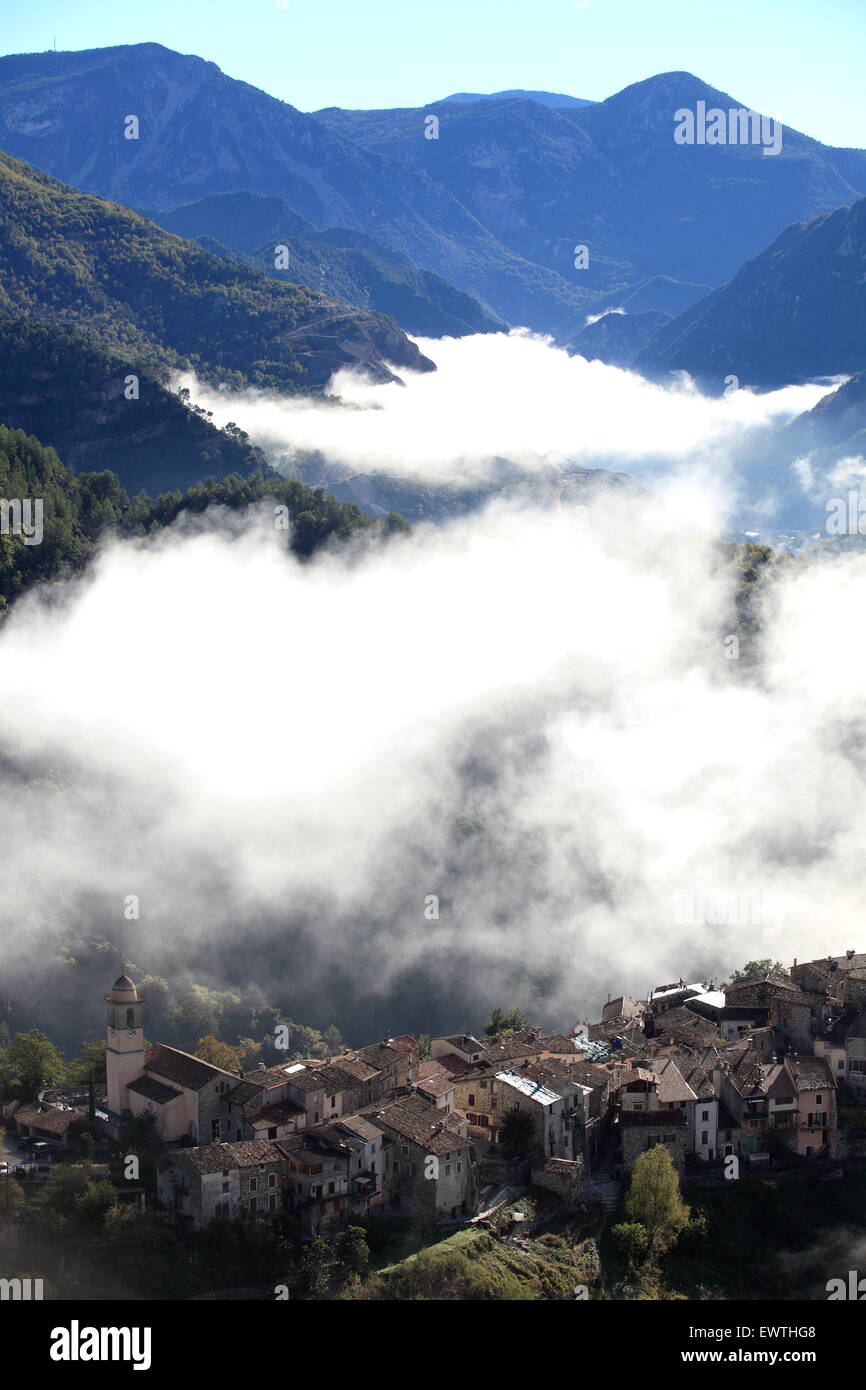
{"points": [[509, 397]]}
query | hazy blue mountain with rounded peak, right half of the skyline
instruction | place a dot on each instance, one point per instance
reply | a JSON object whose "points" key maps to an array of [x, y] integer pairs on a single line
{"points": [[611, 176]]}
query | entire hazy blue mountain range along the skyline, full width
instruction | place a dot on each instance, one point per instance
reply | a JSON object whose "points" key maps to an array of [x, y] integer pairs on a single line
{"points": [[496, 205]]}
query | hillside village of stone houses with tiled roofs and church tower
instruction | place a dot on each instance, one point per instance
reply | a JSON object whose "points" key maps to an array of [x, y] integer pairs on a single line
{"points": [[765, 1072]]}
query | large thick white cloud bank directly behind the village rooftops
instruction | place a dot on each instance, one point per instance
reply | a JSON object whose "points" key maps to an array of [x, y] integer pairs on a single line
{"points": [[532, 715]]}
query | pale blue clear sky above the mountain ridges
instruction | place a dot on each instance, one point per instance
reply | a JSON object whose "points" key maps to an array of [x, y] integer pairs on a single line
{"points": [[794, 59]]}
